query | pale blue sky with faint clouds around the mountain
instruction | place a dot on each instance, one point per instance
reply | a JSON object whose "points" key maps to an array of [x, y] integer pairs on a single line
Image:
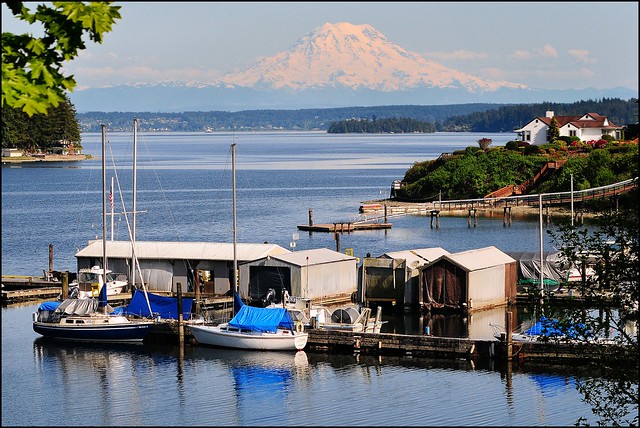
{"points": [[547, 45]]}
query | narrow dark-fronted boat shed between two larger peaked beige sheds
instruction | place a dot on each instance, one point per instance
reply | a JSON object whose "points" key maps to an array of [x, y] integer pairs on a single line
{"points": [[394, 276]]}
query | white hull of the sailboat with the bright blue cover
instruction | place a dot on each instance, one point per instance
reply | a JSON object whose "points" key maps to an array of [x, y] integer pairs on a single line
{"points": [[226, 337]]}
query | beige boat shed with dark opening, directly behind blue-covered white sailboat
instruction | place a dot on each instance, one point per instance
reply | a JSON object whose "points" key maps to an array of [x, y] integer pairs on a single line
{"points": [[316, 274]]}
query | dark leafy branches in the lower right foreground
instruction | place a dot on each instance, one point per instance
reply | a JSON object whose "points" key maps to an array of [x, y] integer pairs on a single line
{"points": [[609, 306]]}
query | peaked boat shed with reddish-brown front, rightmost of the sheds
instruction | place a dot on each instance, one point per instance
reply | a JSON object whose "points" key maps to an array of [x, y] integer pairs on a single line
{"points": [[469, 280]]}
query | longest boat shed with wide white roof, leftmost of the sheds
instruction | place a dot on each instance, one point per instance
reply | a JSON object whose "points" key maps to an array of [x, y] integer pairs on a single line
{"points": [[208, 265]]}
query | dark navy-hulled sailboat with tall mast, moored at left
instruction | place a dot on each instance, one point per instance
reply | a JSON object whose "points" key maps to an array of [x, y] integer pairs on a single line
{"points": [[90, 319]]}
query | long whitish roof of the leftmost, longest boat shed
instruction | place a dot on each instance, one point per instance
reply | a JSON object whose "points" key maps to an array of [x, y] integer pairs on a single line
{"points": [[182, 250]]}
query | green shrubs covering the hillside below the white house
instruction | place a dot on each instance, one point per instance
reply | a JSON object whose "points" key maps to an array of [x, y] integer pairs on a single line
{"points": [[474, 172]]}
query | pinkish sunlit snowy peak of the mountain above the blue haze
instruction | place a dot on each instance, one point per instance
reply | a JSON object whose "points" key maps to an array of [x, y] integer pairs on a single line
{"points": [[353, 56]]}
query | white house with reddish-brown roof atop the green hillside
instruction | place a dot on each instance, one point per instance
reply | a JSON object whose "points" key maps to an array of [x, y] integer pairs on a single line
{"points": [[590, 126]]}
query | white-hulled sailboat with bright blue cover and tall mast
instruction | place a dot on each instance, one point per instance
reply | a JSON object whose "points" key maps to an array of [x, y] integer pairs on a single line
{"points": [[251, 328]]}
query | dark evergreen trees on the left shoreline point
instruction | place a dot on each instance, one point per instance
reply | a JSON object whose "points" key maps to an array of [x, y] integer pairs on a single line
{"points": [[41, 133]]}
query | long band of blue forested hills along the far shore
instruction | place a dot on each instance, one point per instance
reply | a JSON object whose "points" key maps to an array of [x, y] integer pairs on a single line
{"points": [[455, 117]]}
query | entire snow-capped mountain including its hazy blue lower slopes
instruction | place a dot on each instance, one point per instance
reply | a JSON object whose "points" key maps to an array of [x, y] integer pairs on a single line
{"points": [[335, 65]]}
